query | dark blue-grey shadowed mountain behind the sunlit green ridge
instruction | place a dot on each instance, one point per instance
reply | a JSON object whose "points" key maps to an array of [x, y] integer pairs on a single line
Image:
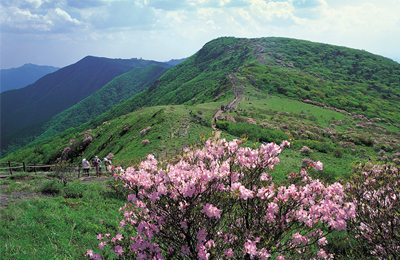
{"points": [[57, 91]]}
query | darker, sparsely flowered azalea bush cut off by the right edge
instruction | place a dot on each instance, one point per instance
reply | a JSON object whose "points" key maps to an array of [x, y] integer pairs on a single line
{"points": [[375, 190]]}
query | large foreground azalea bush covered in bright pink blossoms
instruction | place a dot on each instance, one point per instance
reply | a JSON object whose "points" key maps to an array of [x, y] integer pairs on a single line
{"points": [[221, 202]]}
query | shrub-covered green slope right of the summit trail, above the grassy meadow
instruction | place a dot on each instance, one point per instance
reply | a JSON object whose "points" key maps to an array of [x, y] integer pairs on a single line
{"points": [[345, 78]]}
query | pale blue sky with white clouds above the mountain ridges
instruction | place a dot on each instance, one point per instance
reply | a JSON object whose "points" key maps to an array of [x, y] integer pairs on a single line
{"points": [[61, 32]]}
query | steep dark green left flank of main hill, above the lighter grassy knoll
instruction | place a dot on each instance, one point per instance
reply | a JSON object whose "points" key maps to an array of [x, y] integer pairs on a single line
{"points": [[201, 78]]}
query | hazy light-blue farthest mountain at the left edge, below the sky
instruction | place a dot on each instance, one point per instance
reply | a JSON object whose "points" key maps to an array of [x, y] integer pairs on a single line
{"points": [[20, 77]]}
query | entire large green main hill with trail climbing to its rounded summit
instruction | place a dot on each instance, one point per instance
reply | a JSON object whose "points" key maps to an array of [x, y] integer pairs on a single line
{"points": [[262, 79]]}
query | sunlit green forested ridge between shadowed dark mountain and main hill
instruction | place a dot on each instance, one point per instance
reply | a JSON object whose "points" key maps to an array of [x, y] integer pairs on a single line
{"points": [[116, 91]]}
